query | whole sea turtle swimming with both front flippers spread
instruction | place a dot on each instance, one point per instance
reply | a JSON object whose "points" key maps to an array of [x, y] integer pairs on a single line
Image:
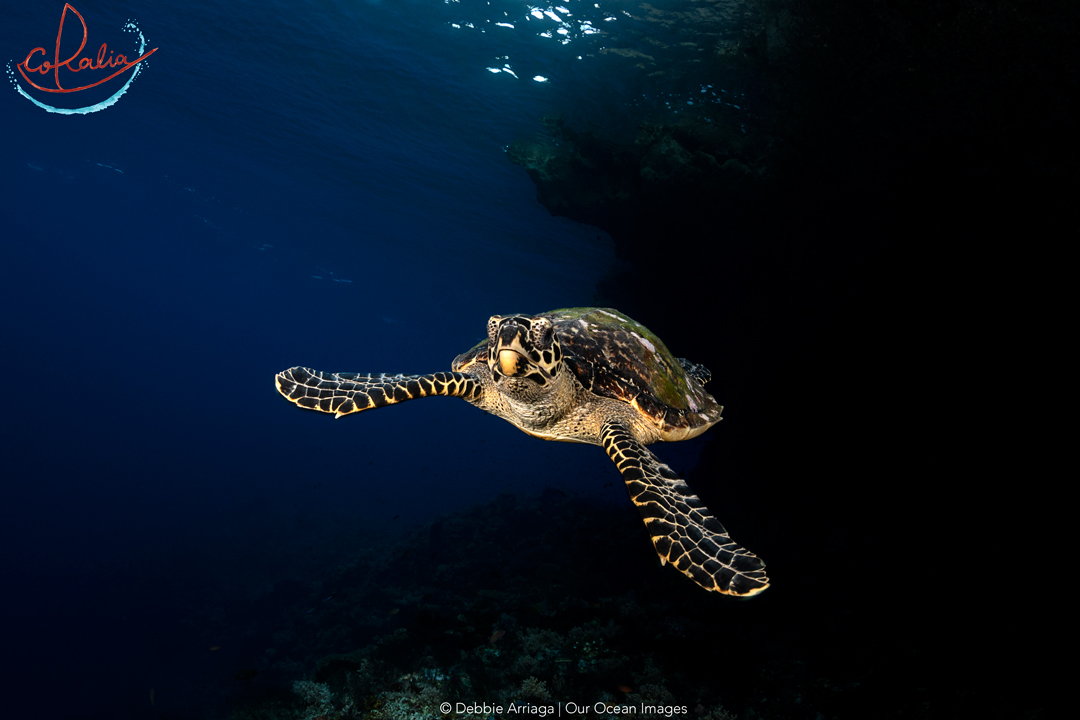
{"points": [[580, 375]]}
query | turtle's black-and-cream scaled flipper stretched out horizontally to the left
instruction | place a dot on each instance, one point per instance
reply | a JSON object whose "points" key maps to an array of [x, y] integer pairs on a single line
{"points": [[342, 393]]}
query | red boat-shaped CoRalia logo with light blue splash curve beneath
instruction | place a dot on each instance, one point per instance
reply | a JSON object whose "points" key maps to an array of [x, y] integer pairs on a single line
{"points": [[36, 69]]}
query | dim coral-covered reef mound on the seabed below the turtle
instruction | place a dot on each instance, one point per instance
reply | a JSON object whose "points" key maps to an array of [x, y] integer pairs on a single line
{"points": [[482, 624]]}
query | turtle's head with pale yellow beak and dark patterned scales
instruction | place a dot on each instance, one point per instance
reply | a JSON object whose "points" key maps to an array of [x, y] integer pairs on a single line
{"points": [[524, 348]]}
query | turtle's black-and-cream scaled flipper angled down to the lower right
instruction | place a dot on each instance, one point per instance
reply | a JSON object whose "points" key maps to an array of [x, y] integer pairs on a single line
{"points": [[683, 531]]}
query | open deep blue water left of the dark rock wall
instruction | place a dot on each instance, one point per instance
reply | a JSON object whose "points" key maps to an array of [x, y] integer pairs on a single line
{"points": [[312, 183]]}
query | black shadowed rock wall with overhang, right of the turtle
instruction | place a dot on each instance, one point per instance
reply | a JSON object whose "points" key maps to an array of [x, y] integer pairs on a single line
{"points": [[859, 271]]}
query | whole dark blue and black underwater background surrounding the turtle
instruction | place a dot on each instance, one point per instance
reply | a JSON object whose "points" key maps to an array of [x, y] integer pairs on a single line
{"points": [[845, 211]]}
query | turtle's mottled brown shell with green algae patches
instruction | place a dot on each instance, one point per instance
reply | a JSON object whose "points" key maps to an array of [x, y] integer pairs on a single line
{"points": [[615, 357]]}
